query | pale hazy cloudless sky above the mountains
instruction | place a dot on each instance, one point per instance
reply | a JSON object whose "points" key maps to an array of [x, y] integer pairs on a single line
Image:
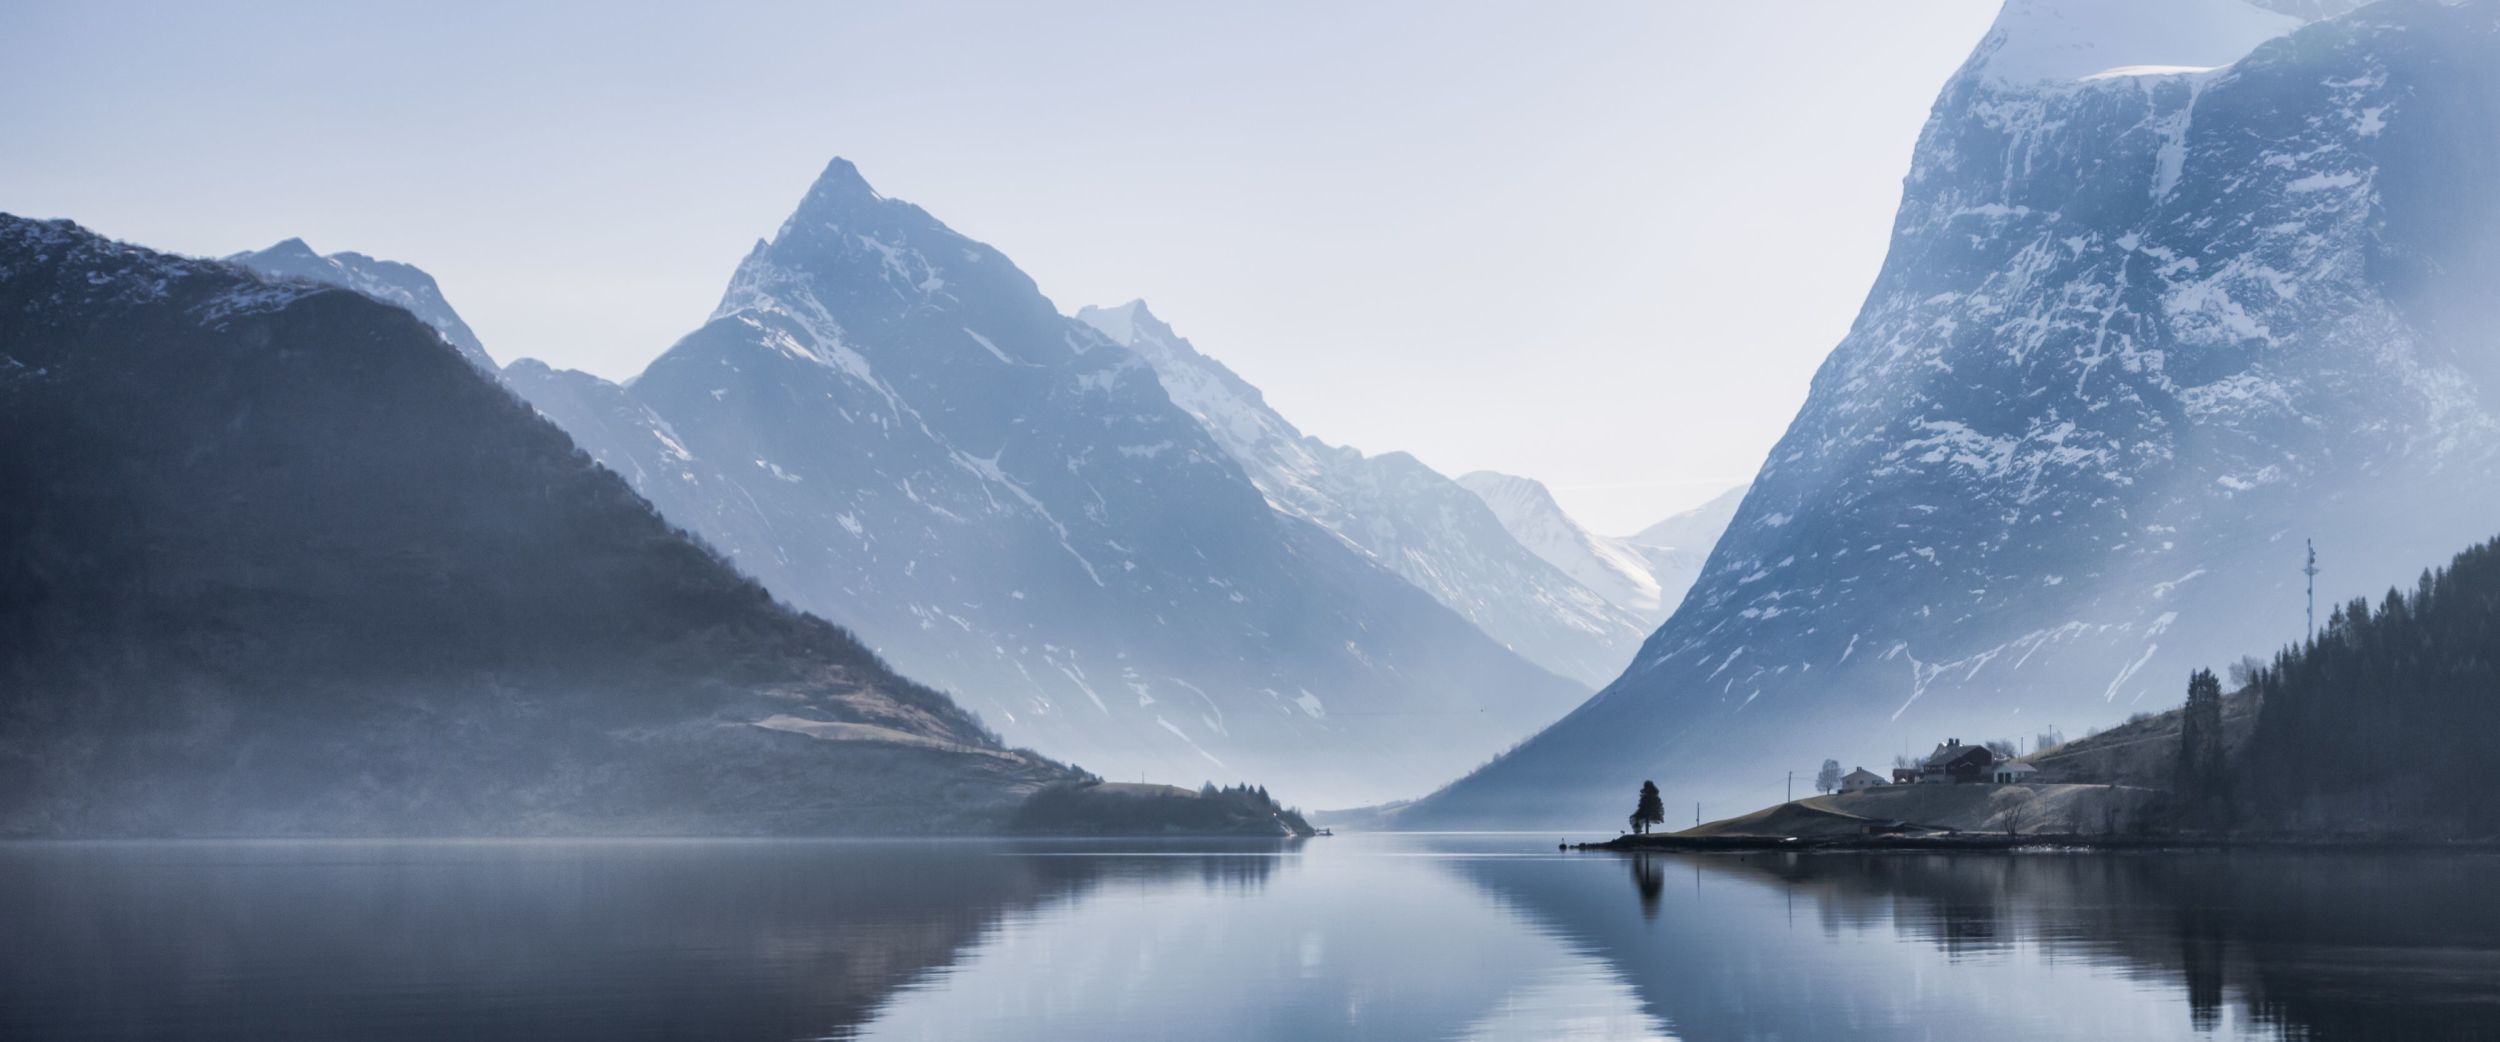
{"points": [[1596, 244]]}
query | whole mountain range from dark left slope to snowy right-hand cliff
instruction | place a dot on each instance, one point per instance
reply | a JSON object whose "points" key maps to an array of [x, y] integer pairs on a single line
{"points": [[2176, 286]]}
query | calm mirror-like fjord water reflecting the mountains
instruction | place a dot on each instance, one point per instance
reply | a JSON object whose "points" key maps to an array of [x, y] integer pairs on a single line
{"points": [[1359, 938]]}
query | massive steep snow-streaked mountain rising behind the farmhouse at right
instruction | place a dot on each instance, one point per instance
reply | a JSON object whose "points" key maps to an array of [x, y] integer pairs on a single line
{"points": [[2139, 336]]}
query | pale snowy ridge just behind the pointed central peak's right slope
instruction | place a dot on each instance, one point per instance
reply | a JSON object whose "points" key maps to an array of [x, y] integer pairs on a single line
{"points": [[1391, 509]]}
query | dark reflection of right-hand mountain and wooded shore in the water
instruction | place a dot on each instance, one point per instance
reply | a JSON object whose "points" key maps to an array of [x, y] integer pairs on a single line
{"points": [[2044, 946]]}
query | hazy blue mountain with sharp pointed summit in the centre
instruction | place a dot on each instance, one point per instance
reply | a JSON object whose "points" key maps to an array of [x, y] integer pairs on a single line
{"points": [[891, 426]]}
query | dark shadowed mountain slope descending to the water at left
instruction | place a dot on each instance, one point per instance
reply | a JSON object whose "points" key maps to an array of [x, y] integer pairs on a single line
{"points": [[279, 561]]}
